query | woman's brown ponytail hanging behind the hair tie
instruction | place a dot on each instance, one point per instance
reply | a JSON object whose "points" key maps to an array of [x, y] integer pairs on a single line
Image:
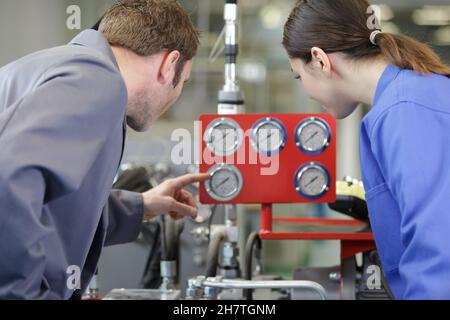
{"points": [[407, 53]]}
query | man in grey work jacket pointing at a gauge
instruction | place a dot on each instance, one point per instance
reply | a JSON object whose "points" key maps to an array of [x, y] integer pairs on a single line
{"points": [[63, 115]]}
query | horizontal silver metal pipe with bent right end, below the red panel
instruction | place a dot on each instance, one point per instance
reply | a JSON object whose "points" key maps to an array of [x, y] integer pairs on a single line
{"points": [[273, 284]]}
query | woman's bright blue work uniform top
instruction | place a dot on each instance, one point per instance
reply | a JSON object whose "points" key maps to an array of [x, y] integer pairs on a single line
{"points": [[405, 157]]}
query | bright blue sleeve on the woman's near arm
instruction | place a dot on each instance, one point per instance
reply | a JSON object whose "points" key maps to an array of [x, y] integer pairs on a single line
{"points": [[412, 147]]}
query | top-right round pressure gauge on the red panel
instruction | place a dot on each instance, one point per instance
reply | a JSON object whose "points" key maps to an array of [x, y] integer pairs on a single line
{"points": [[313, 136]]}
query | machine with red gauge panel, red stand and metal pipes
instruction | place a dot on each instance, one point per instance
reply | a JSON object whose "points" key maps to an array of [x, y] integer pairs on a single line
{"points": [[235, 149]]}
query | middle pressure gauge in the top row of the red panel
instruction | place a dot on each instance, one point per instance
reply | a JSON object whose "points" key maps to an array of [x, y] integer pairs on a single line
{"points": [[268, 136]]}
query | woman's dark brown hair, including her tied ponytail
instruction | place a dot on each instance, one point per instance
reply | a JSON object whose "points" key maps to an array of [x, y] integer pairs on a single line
{"points": [[342, 26]]}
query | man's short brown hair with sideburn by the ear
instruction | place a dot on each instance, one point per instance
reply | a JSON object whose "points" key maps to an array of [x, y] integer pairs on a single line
{"points": [[147, 27]]}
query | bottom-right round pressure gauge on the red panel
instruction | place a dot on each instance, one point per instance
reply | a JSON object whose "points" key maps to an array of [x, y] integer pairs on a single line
{"points": [[312, 180]]}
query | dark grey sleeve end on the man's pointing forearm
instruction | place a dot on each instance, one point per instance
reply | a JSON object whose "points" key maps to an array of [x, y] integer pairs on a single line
{"points": [[125, 215]]}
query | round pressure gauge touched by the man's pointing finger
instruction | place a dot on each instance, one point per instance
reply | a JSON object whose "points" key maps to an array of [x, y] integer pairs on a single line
{"points": [[225, 183]]}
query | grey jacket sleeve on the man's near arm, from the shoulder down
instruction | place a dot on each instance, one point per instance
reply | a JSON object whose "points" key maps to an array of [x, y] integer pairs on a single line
{"points": [[82, 98]]}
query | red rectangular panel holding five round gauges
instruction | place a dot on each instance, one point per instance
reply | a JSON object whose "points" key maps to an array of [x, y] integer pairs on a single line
{"points": [[269, 176]]}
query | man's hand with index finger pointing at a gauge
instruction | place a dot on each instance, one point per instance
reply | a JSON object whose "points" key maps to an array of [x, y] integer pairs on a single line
{"points": [[170, 197]]}
